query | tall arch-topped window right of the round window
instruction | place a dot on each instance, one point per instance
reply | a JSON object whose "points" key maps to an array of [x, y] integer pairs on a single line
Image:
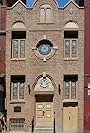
{"points": [[71, 40]]}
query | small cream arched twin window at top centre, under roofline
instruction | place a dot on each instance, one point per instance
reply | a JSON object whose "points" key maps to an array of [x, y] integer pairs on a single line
{"points": [[45, 14]]}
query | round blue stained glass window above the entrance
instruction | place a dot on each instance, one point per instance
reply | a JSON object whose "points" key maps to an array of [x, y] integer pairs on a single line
{"points": [[44, 49]]}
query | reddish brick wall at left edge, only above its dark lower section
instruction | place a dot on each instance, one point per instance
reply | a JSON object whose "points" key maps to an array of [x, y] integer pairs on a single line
{"points": [[2, 39]]}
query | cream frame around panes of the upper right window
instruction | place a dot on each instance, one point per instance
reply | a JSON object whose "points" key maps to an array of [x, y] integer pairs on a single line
{"points": [[71, 48]]}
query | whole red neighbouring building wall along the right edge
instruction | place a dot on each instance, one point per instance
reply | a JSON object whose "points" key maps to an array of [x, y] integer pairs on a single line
{"points": [[87, 65]]}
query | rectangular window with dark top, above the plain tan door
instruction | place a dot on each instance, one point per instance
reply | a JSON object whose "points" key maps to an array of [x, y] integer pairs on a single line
{"points": [[70, 86]]}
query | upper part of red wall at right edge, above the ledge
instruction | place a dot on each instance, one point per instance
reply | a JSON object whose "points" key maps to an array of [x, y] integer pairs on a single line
{"points": [[87, 36]]}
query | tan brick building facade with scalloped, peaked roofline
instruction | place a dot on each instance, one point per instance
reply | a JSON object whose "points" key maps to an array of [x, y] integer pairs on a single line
{"points": [[45, 67]]}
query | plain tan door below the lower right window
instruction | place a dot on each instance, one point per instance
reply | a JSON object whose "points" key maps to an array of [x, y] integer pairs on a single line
{"points": [[70, 119]]}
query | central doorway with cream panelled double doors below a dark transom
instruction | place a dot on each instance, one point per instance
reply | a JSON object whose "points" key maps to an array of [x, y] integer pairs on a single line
{"points": [[44, 111]]}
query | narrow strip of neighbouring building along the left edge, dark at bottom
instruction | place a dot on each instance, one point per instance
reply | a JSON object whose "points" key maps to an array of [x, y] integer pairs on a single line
{"points": [[2, 56]]}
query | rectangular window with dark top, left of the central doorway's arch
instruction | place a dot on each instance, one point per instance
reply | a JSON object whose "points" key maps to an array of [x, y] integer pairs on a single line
{"points": [[17, 87]]}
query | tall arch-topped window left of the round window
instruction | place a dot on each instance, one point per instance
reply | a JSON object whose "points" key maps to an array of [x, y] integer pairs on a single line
{"points": [[18, 40]]}
